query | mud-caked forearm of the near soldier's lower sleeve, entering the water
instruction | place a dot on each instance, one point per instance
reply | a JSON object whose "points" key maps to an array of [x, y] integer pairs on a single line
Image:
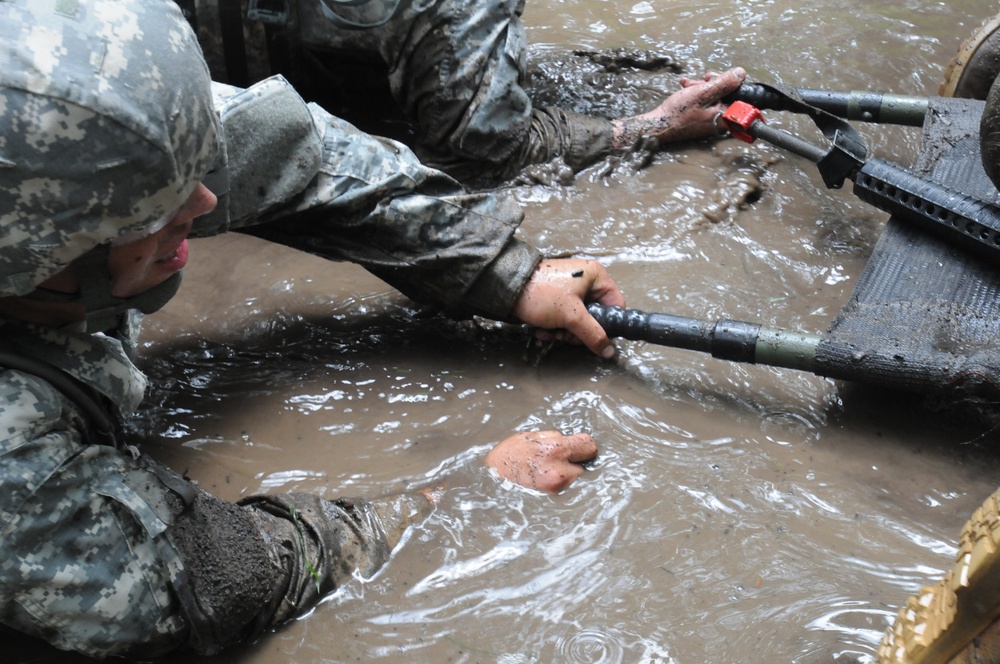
{"points": [[252, 566]]}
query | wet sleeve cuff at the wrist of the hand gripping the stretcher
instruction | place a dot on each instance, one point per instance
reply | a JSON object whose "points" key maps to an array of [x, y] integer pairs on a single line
{"points": [[497, 289]]}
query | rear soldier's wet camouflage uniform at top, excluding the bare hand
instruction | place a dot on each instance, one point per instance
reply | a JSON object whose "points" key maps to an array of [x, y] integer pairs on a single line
{"points": [[456, 70]]}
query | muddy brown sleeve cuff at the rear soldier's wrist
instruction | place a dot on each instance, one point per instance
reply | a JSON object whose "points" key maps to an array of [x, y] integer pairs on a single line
{"points": [[579, 139]]}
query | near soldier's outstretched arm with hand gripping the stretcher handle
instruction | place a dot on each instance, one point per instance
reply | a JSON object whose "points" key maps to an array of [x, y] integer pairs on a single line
{"points": [[370, 201]]}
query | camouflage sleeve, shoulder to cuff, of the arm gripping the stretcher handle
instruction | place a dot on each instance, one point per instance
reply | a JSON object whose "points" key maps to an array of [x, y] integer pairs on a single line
{"points": [[372, 202]]}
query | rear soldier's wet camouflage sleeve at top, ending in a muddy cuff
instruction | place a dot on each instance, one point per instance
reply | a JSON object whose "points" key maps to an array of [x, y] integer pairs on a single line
{"points": [[459, 75]]}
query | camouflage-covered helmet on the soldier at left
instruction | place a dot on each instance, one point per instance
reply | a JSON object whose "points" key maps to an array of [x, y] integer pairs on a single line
{"points": [[106, 127]]}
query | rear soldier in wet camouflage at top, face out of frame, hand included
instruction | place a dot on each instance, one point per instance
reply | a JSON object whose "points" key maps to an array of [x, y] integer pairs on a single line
{"points": [[455, 69]]}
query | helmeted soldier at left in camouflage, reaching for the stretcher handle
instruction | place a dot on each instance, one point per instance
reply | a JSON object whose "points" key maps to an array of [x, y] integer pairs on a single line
{"points": [[109, 132]]}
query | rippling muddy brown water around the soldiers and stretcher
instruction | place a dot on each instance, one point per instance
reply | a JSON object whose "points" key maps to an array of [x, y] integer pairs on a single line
{"points": [[735, 513]]}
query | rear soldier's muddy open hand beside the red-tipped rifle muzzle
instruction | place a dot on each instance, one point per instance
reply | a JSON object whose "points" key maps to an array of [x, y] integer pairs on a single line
{"points": [[688, 114]]}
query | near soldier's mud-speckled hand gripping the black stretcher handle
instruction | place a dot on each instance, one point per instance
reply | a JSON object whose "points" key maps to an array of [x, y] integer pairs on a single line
{"points": [[555, 300]]}
